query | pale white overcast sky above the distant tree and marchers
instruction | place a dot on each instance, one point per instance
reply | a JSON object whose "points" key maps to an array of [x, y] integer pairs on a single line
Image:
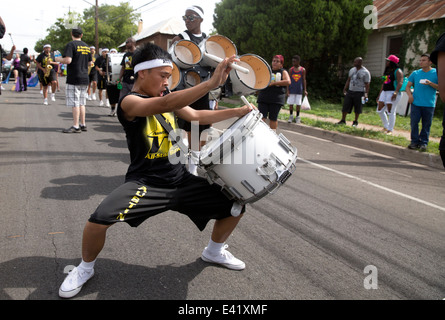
{"points": [[27, 20]]}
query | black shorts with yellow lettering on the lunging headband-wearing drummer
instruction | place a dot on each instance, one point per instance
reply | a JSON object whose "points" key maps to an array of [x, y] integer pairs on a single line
{"points": [[134, 202]]}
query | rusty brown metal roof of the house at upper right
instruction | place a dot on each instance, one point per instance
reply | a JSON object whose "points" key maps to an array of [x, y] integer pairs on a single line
{"points": [[393, 13]]}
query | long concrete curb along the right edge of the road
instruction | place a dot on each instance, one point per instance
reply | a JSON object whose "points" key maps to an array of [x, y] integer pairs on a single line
{"points": [[424, 158]]}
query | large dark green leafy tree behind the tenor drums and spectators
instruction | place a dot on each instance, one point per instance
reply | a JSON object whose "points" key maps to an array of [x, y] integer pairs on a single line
{"points": [[322, 32]]}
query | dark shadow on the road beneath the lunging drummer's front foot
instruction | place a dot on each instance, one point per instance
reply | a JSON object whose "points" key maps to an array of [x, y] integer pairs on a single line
{"points": [[39, 278]]}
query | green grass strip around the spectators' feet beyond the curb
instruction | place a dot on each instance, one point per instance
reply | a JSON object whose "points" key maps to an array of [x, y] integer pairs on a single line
{"points": [[369, 116]]}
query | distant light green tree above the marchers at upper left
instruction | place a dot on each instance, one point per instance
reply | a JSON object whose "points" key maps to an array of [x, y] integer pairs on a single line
{"points": [[115, 24]]}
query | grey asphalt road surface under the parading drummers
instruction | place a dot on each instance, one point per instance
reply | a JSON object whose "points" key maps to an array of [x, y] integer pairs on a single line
{"points": [[348, 224]]}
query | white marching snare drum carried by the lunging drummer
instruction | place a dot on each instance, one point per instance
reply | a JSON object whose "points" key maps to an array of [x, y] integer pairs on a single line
{"points": [[249, 160]]}
